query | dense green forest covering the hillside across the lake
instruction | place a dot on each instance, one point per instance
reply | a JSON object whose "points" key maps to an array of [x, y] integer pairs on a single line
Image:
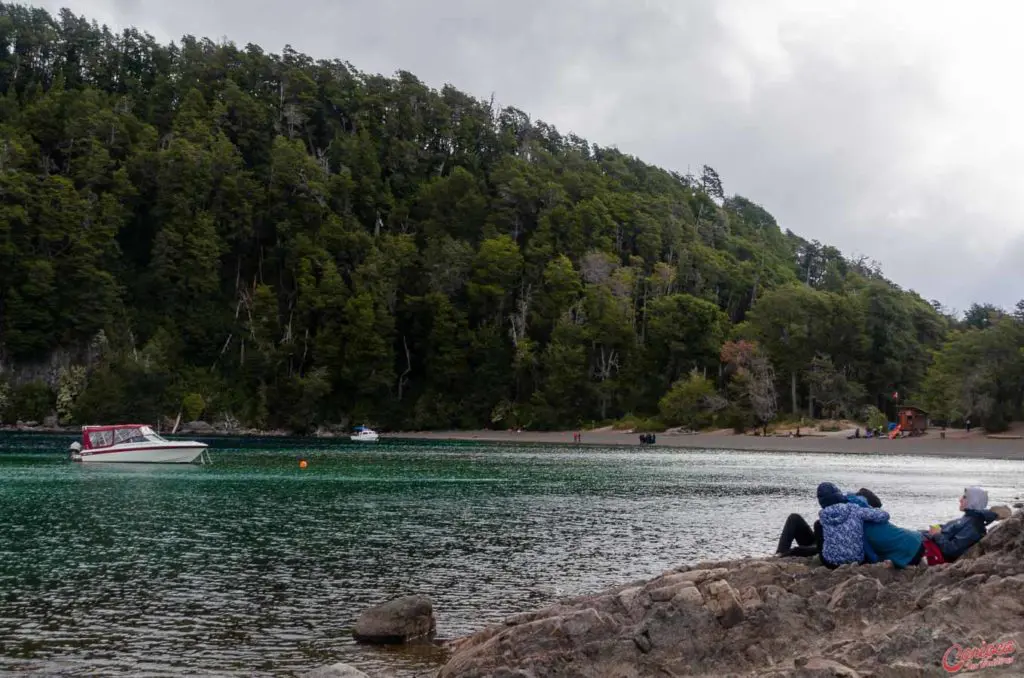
{"points": [[274, 241]]}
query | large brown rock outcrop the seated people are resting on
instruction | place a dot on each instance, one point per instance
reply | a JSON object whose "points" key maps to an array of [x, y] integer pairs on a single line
{"points": [[778, 618]]}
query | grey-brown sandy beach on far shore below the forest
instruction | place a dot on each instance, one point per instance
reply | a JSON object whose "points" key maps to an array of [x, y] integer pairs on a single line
{"points": [[957, 444]]}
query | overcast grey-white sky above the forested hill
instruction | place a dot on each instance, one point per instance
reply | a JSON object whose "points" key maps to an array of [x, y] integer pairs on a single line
{"points": [[889, 130]]}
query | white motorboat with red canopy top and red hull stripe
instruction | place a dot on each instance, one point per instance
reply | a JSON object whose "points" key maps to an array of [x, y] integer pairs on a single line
{"points": [[134, 444]]}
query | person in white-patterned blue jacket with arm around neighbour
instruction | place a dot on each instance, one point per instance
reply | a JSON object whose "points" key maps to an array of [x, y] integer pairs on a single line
{"points": [[843, 526]]}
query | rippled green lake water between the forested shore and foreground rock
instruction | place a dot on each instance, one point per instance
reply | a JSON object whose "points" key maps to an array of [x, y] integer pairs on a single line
{"points": [[255, 567]]}
